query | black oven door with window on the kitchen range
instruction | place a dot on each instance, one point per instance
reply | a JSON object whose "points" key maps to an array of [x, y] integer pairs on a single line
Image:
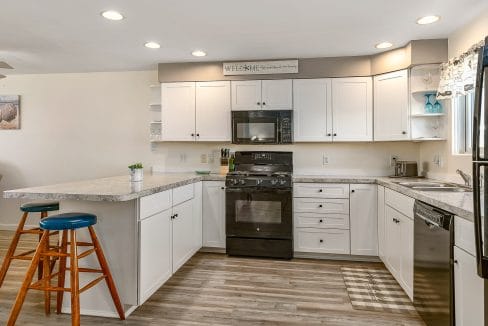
{"points": [[259, 213]]}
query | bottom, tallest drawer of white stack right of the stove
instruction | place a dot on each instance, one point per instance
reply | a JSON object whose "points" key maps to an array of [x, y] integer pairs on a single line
{"points": [[331, 241]]}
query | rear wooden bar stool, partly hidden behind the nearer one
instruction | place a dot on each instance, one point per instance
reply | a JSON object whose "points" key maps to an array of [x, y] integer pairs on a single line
{"points": [[35, 207]]}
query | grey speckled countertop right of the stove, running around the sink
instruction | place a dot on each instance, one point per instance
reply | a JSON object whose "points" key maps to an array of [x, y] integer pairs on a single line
{"points": [[458, 203]]}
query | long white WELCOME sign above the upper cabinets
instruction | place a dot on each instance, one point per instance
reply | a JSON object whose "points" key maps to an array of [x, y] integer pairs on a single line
{"points": [[260, 67]]}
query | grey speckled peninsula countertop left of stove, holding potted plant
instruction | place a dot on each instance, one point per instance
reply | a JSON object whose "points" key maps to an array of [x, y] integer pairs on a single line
{"points": [[110, 189]]}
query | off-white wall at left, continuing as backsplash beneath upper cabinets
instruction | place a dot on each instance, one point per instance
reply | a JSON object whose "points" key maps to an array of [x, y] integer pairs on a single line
{"points": [[82, 126]]}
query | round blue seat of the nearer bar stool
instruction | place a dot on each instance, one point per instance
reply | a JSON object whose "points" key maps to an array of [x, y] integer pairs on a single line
{"points": [[68, 221]]}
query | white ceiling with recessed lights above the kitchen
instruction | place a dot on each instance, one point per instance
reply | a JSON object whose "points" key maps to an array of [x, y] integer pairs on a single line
{"points": [[70, 36]]}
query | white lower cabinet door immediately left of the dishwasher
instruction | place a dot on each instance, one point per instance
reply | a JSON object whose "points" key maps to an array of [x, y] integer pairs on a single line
{"points": [[406, 254]]}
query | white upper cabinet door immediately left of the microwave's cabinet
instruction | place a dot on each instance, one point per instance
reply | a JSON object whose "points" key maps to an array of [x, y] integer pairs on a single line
{"points": [[213, 111]]}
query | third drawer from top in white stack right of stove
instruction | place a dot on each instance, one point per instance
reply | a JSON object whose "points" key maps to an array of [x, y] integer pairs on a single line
{"points": [[323, 221]]}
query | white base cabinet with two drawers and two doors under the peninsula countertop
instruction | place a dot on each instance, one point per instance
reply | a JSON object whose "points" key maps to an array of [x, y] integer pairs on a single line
{"points": [[167, 237]]}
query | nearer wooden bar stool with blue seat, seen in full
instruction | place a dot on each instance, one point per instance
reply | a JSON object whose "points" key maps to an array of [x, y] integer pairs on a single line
{"points": [[67, 222]]}
